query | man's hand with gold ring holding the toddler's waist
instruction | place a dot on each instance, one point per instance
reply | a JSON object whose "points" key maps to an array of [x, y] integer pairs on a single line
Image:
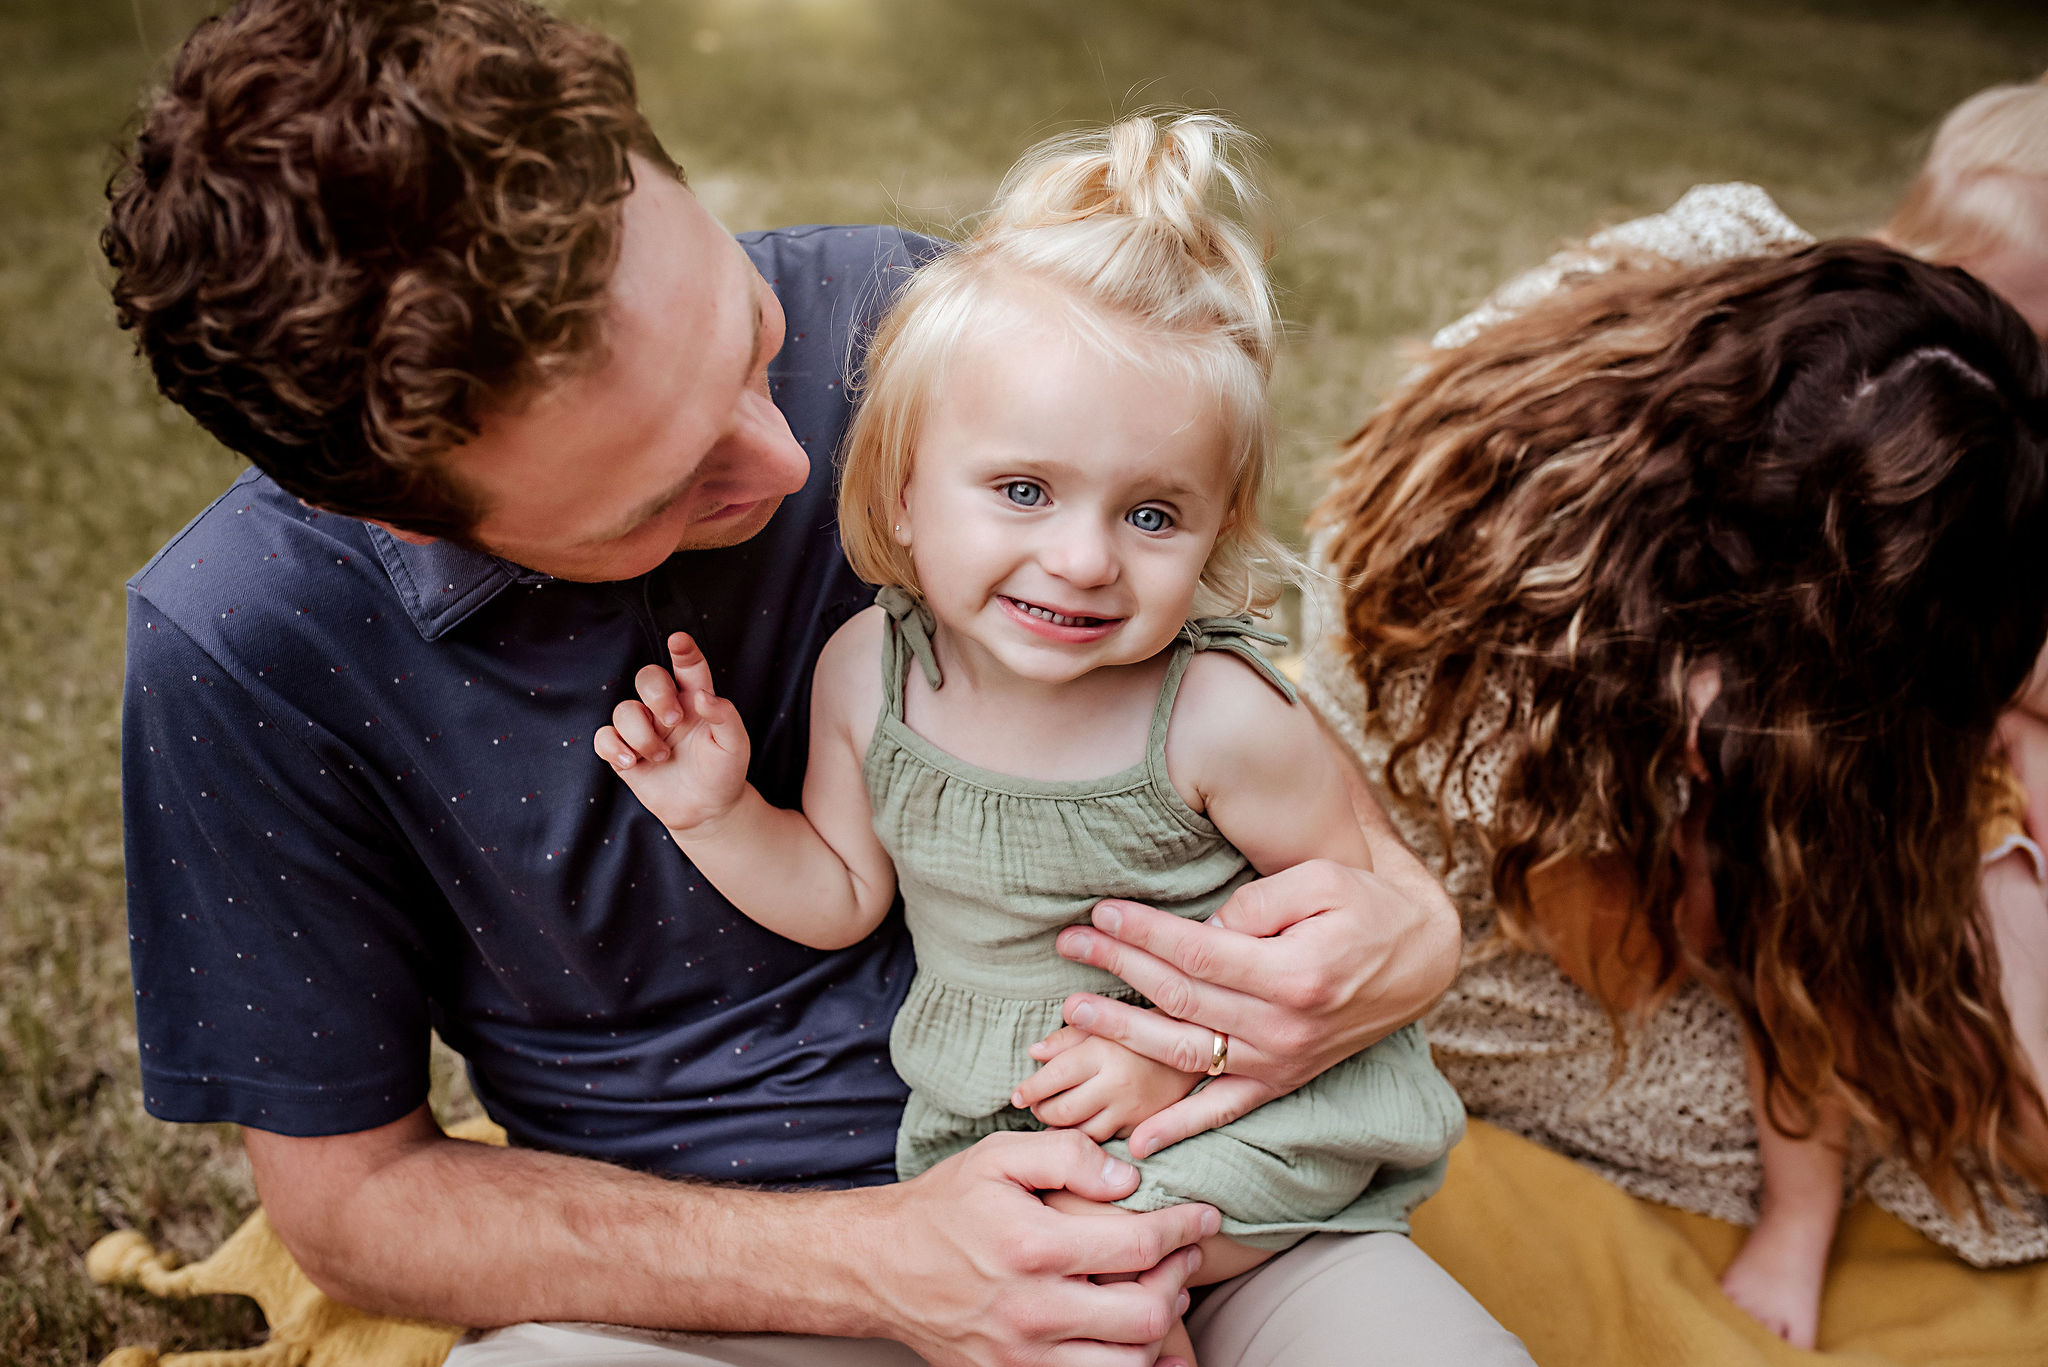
{"points": [[1302, 970]]}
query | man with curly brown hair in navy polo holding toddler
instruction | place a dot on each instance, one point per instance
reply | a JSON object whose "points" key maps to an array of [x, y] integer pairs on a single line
{"points": [[519, 407]]}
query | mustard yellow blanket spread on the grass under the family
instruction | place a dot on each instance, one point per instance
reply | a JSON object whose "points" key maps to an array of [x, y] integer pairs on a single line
{"points": [[1582, 1272]]}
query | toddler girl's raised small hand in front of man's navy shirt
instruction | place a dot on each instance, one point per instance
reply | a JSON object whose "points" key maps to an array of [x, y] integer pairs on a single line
{"points": [[681, 747]]}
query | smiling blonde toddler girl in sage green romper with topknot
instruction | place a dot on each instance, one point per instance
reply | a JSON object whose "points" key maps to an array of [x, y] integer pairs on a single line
{"points": [[1054, 479]]}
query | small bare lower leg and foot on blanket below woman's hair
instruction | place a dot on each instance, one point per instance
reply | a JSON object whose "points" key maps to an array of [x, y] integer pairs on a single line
{"points": [[1783, 1266]]}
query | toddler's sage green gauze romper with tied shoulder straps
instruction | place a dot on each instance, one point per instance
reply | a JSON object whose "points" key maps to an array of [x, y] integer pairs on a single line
{"points": [[992, 868]]}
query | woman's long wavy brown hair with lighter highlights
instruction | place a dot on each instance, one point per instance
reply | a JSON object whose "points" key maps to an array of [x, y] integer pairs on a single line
{"points": [[1824, 474]]}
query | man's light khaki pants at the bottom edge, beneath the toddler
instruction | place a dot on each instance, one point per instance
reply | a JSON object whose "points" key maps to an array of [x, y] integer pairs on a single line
{"points": [[1353, 1300]]}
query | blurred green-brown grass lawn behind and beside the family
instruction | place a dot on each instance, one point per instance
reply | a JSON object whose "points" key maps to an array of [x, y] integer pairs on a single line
{"points": [[1420, 153]]}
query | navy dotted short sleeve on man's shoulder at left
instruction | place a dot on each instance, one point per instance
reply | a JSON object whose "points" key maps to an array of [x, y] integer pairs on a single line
{"points": [[280, 979]]}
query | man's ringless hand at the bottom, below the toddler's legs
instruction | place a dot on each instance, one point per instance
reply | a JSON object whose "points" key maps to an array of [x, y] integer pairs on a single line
{"points": [[972, 1270]]}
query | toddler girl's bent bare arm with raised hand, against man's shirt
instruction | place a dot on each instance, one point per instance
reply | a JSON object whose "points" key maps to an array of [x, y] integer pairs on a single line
{"points": [[816, 876]]}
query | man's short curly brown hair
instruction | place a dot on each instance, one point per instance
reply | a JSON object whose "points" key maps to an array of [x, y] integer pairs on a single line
{"points": [[349, 229]]}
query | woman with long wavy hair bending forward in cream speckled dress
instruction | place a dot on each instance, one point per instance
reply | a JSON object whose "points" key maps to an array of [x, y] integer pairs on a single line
{"points": [[1676, 616]]}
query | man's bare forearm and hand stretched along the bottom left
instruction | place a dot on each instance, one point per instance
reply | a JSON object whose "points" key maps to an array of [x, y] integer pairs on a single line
{"points": [[966, 1264]]}
